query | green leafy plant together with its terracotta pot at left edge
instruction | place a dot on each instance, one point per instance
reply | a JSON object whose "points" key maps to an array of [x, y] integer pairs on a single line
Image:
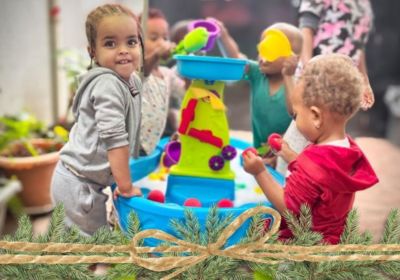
{"points": [[29, 151]]}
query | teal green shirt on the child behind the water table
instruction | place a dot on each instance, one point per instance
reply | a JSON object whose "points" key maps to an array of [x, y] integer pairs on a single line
{"points": [[268, 113]]}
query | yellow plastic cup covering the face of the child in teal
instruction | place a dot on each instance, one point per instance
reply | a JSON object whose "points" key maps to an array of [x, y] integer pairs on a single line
{"points": [[274, 45]]}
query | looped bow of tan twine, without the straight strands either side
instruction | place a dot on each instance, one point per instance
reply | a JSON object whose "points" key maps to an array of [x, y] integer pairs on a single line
{"points": [[195, 253]]}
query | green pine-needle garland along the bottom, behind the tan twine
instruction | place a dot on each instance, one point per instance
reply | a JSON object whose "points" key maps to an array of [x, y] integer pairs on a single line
{"points": [[214, 267]]}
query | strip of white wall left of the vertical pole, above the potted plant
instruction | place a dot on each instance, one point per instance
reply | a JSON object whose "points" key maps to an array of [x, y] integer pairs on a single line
{"points": [[24, 58]]}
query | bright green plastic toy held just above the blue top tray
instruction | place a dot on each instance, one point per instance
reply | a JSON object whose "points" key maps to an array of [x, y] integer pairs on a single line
{"points": [[194, 41]]}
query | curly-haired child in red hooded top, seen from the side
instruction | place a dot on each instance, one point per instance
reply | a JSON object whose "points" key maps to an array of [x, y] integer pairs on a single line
{"points": [[326, 175]]}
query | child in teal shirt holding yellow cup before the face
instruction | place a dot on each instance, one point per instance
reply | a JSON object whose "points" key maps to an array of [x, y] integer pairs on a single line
{"points": [[268, 100]]}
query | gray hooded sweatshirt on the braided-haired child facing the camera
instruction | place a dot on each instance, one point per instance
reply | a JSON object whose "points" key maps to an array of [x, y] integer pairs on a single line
{"points": [[107, 115]]}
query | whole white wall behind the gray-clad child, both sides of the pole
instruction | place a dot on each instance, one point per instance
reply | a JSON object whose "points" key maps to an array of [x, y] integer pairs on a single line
{"points": [[25, 55]]}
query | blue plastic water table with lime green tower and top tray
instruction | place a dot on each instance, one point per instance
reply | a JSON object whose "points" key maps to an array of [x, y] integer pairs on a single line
{"points": [[202, 168]]}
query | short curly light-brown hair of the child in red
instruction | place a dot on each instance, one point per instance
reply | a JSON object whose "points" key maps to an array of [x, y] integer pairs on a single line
{"points": [[334, 82]]}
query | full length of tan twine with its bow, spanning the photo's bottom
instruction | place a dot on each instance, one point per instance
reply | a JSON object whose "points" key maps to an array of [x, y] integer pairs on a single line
{"points": [[257, 251]]}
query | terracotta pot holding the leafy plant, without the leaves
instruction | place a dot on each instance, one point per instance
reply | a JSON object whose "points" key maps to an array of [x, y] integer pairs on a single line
{"points": [[35, 175]]}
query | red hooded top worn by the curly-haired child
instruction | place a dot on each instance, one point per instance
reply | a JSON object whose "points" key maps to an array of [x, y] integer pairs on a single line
{"points": [[326, 178]]}
